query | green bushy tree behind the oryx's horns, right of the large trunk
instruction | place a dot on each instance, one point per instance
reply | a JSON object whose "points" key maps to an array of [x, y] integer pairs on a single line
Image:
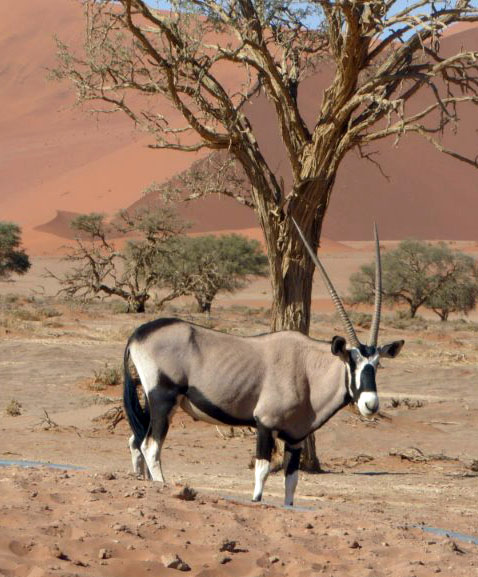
{"points": [[420, 274]]}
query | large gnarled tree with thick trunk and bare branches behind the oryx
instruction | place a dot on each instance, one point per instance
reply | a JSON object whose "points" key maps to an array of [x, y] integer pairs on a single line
{"points": [[149, 63]]}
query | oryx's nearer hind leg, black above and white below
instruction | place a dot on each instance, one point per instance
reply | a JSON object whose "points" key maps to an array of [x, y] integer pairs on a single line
{"points": [[162, 403]]}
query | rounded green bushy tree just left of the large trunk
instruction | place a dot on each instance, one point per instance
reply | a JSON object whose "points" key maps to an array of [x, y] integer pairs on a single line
{"points": [[203, 266]]}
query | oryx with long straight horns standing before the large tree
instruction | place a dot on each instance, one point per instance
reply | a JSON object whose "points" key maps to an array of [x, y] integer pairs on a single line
{"points": [[284, 384]]}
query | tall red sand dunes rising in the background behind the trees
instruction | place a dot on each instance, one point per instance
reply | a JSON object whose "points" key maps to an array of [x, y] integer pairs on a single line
{"points": [[57, 158]]}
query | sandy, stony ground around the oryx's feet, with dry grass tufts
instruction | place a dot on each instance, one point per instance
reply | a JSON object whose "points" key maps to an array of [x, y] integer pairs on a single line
{"points": [[385, 480]]}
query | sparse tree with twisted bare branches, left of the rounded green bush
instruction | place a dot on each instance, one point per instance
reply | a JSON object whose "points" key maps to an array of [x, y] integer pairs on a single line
{"points": [[103, 269]]}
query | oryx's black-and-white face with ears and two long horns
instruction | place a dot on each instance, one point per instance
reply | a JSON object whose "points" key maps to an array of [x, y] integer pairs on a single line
{"points": [[361, 360]]}
